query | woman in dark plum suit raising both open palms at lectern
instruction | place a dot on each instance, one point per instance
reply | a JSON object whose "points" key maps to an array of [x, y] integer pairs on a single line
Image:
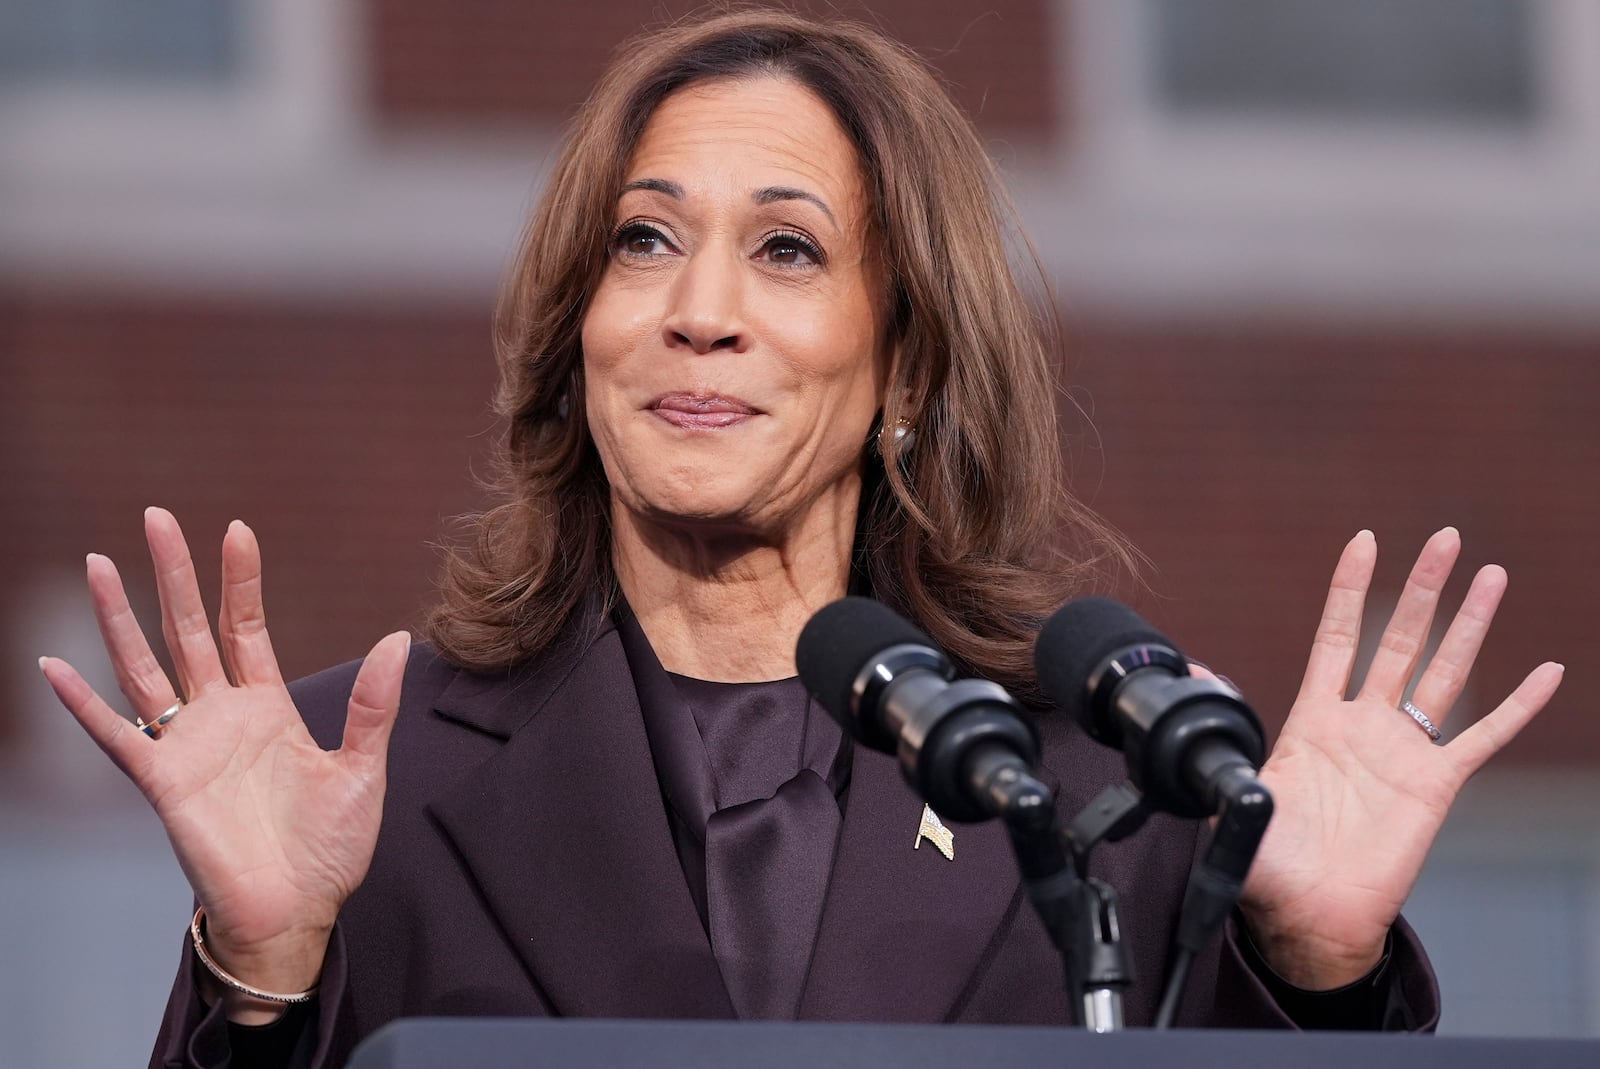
{"points": [[762, 346]]}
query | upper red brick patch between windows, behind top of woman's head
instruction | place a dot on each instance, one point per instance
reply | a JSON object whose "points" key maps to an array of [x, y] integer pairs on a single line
{"points": [[489, 60]]}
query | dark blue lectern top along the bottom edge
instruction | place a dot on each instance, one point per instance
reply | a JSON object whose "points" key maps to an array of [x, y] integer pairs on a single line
{"points": [[535, 1044]]}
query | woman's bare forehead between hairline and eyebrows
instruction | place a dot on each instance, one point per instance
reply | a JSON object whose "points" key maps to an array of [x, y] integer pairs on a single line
{"points": [[737, 135]]}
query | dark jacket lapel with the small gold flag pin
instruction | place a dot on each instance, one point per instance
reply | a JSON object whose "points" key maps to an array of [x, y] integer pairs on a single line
{"points": [[905, 932]]}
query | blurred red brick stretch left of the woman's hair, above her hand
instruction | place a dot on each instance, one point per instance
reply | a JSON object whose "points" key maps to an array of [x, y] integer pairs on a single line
{"points": [[343, 436]]}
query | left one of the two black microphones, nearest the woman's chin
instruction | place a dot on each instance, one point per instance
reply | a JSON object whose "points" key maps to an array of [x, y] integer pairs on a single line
{"points": [[966, 747]]}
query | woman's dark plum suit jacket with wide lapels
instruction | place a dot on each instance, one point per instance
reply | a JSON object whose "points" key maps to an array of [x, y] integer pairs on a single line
{"points": [[526, 868]]}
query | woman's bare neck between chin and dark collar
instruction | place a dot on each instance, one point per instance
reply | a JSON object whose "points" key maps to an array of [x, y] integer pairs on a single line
{"points": [[727, 606]]}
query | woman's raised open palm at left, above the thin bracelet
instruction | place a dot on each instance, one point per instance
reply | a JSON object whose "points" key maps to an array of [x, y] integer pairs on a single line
{"points": [[273, 831]]}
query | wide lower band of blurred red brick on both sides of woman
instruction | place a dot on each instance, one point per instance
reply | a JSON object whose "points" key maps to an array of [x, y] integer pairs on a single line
{"points": [[1238, 458]]}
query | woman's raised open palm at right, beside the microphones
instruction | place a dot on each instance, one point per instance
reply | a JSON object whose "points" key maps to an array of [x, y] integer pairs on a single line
{"points": [[1361, 788]]}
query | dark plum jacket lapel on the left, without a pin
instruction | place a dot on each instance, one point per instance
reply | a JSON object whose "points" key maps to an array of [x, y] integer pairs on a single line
{"points": [[566, 833]]}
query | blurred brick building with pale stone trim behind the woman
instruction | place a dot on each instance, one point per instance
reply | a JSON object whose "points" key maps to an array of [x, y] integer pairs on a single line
{"points": [[1322, 266]]}
